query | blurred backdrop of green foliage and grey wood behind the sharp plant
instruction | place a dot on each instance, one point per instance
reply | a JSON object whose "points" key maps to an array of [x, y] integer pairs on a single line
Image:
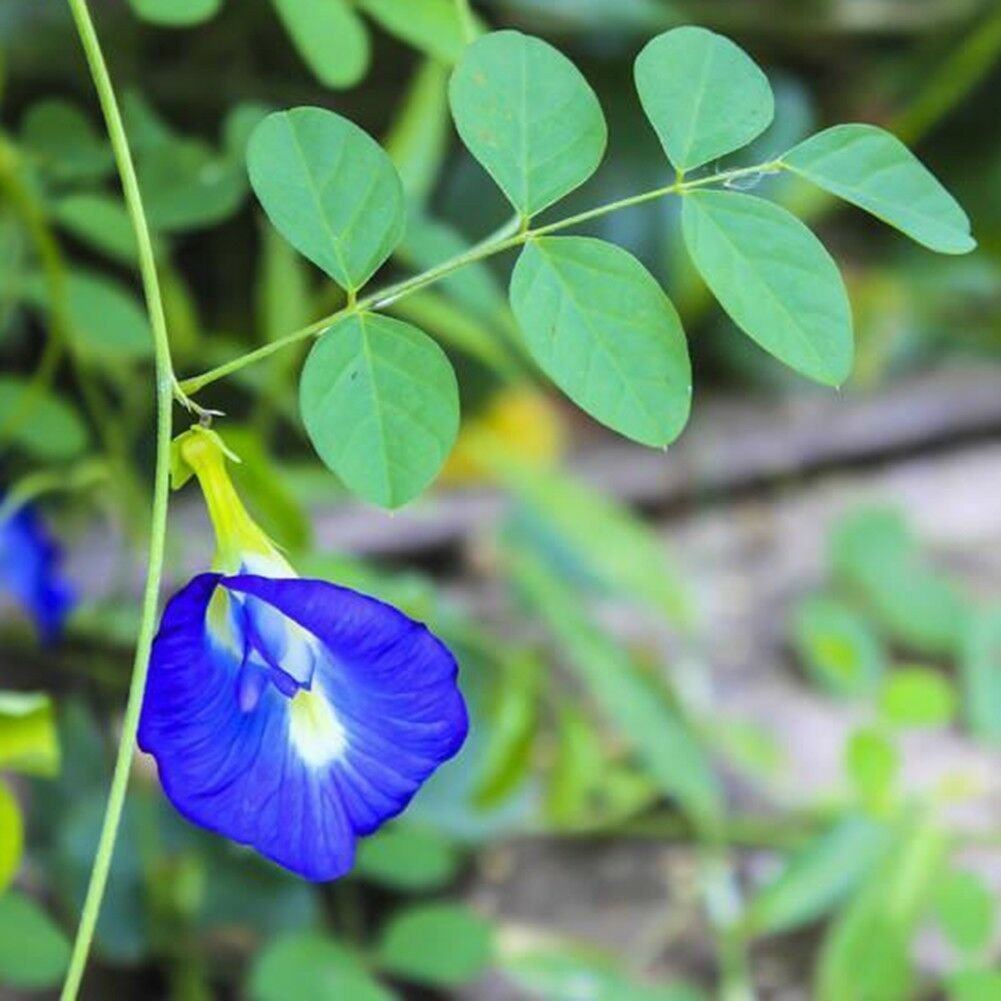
{"points": [[737, 706]]}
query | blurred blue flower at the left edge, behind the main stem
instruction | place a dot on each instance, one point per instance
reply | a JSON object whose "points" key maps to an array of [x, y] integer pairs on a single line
{"points": [[31, 572]]}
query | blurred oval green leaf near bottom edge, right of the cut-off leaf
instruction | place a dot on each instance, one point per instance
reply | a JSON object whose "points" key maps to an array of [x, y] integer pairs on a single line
{"points": [[448, 944]]}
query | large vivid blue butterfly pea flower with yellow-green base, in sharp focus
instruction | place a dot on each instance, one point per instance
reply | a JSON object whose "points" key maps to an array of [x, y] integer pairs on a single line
{"points": [[291, 715]]}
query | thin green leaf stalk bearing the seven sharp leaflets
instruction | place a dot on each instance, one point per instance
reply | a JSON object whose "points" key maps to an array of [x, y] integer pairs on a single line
{"points": [[507, 239]]}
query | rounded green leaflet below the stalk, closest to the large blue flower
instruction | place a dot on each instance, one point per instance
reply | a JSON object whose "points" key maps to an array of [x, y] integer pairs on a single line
{"points": [[381, 404]]}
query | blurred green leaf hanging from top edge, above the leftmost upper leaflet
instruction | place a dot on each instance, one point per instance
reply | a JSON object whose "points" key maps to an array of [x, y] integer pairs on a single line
{"points": [[331, 39]]}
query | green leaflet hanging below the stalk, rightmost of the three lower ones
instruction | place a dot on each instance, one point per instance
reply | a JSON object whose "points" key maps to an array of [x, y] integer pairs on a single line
{"points": [[774, 279]]}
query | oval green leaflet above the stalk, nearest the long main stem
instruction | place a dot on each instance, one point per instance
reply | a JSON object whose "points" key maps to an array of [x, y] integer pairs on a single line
{"points": [[330, 190]]}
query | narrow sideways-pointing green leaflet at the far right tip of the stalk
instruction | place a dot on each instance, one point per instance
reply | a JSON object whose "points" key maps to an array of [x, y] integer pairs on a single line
{"points": [[873, 170]]}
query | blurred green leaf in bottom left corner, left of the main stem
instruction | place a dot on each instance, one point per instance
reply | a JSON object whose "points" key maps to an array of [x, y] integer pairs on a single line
{"points": [[34, 950]]}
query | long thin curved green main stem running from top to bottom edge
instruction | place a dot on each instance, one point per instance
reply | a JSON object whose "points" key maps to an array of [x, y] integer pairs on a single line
{"points": [[166, 386]]}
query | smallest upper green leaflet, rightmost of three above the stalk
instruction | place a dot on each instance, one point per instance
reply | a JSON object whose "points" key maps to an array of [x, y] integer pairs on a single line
{"points": [[704, 96]]}
